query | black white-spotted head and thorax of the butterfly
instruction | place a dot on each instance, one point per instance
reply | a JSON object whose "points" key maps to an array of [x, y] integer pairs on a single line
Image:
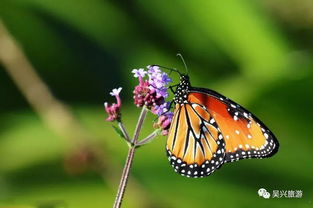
{"points": [[182, 90]]}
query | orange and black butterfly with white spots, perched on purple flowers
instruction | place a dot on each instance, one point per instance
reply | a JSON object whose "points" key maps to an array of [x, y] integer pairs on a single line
{"points": [[209, 130]]}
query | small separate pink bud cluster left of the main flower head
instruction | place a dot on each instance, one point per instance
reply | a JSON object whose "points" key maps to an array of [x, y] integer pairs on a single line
{"points": [[114, 109]]}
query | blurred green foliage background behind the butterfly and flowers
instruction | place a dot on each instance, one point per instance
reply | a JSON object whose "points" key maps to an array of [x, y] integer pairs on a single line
{"points": [[258, 53]]}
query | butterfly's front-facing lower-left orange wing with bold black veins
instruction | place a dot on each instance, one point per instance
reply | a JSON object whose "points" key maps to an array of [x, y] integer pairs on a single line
{"points": [[195, 146]]}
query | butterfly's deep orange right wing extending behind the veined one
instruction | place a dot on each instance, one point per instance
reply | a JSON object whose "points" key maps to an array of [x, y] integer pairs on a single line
{"points": [[244, 134]]}
